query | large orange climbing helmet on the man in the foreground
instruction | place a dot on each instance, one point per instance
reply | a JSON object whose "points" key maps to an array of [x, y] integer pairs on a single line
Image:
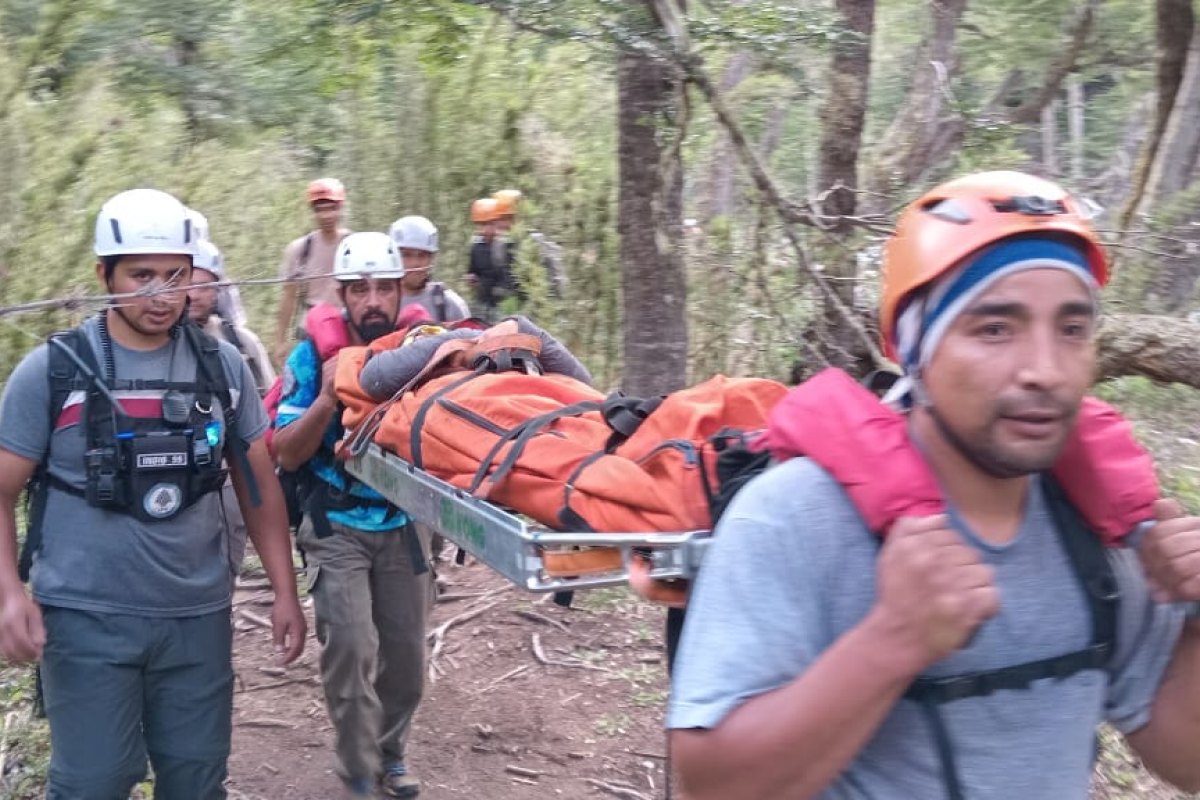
{"points": [[961, 218]]}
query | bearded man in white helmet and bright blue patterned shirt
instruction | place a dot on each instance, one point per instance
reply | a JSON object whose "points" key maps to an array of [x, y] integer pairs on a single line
{"points": [[368, 570]]}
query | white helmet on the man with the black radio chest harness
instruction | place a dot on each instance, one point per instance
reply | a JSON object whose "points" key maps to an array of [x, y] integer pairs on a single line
{"points": [[145, 221]]}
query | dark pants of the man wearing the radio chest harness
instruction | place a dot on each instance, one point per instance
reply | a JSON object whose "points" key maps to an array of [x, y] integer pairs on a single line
{"points": [[122, 689]]}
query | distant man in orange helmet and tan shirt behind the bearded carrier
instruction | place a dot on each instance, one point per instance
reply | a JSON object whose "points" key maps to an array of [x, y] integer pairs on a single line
{"points": [[309, 256]]}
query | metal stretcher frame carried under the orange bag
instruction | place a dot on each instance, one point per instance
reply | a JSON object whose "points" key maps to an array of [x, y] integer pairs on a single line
{"points": [[527, 555]]}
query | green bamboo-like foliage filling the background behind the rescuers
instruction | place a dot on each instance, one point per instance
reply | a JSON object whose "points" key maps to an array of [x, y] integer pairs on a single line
{"points": [[423, 107]]}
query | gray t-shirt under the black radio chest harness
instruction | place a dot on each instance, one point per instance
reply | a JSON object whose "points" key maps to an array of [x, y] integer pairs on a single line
{"points": [[99, 561]]}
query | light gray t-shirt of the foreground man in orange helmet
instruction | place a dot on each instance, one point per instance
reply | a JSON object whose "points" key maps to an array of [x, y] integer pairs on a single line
{"points": [[793, 569]]}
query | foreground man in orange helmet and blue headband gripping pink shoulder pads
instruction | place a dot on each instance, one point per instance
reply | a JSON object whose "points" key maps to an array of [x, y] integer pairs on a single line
{"points": [[934, 666]]}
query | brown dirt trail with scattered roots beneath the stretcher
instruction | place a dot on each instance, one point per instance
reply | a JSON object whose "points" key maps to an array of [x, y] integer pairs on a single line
{"points": [[527, 700]]}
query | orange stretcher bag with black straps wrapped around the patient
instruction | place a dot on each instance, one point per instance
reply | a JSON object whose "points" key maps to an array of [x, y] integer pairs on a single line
{"points": [[553, 448]]}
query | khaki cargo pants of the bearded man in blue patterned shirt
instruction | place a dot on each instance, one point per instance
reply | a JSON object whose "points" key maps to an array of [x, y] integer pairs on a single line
{"points": [[371, 609]]}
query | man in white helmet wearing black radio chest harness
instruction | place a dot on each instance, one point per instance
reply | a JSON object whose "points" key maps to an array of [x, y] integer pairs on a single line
{"points": [[127, 424]]}
